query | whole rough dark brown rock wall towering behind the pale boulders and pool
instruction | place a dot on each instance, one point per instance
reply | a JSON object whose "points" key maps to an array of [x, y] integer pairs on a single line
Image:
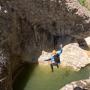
{"points": [[29, 26]]}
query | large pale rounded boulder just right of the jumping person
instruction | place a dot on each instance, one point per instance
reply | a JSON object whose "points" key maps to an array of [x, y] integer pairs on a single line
{"points": [[74, 56]]}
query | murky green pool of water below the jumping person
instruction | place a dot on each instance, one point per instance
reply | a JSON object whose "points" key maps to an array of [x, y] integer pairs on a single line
{"points": [[39, 77]]}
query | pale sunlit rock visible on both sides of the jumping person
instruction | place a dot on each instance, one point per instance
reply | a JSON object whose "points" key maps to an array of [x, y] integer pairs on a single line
{"points": [[72, 56]]}
